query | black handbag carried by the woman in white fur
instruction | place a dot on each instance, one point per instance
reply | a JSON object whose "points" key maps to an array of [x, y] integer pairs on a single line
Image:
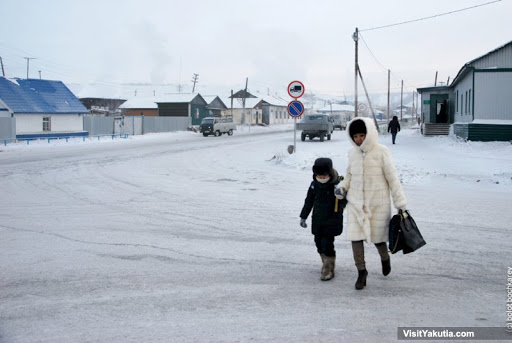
{"points": [[404, 234]]}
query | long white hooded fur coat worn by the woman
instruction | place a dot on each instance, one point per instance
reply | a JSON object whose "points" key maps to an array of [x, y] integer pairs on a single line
{"points": [[370, 181]]}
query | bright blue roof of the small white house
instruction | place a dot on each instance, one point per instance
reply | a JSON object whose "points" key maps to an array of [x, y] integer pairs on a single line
{"points": [[39, 96]]}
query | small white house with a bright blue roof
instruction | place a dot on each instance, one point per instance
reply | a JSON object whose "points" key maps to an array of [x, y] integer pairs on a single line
{"points": [[40, 108]]}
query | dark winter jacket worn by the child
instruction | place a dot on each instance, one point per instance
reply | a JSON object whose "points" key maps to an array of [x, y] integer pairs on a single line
{"points": [[327, 218]]}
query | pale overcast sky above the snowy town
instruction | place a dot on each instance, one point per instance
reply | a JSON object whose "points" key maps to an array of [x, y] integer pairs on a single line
{"points": [[271, 42]]}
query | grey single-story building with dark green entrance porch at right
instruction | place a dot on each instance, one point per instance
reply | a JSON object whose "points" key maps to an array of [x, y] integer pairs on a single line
{"points": [[477, 104]]}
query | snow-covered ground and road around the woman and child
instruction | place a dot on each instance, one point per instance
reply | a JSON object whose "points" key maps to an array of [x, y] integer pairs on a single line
{"points": [[179, 238]]}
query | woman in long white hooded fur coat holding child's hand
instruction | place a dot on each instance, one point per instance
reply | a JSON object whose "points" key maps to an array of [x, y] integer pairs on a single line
{"points": [[370, 183]]}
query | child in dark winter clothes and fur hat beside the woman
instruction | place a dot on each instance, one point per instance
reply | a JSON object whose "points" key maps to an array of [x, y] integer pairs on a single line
{"points": [[327, 217]]}
